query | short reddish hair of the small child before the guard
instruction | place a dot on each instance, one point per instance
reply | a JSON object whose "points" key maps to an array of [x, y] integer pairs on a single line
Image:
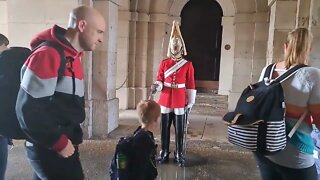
{"points": [[148, 110]]}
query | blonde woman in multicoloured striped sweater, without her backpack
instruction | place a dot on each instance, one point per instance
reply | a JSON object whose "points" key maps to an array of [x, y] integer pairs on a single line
{"points": [[302, 93]]}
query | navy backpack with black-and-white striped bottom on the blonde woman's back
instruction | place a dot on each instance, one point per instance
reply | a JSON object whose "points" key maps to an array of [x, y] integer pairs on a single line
{"points": [[258, 122]]}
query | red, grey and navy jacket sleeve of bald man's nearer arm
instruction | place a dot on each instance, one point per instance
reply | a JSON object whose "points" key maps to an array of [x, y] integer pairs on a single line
{"points": [[38, 83]]}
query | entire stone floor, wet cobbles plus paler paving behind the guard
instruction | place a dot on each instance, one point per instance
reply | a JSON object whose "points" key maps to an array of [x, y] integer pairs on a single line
{"points": [[209, 155]]}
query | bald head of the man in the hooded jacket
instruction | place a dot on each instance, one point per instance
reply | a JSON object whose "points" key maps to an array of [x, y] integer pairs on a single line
{"points": [[86, 26]]}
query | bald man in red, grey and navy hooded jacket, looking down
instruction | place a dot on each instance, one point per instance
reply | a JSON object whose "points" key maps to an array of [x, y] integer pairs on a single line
{"points": [[50, 106]]}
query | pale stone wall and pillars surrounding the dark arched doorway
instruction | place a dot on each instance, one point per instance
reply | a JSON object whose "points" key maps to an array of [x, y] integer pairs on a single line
{"points": [[120, 72]]}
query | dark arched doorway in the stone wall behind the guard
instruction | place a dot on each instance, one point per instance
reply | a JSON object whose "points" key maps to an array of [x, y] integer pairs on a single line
{"points": [[202, 32]]}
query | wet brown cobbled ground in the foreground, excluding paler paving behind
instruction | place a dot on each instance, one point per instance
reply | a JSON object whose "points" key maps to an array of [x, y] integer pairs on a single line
{"points": [[205, 160]]}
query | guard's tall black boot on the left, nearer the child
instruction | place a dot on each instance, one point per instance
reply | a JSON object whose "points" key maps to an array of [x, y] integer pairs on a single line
{"points": [[166, 121]]}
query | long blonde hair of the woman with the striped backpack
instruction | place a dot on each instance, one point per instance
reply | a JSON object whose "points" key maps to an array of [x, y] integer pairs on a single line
{"points": [[299, 44]]}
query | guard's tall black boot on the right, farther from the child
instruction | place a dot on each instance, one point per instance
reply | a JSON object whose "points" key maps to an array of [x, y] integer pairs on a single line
{"points": [[180, 128]]}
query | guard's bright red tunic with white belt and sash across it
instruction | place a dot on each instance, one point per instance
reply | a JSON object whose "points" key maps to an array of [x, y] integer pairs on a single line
{"points": [[175, 97]]}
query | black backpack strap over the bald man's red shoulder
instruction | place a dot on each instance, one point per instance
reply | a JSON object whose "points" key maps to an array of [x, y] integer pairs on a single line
{"points": [[59, 49]]}
